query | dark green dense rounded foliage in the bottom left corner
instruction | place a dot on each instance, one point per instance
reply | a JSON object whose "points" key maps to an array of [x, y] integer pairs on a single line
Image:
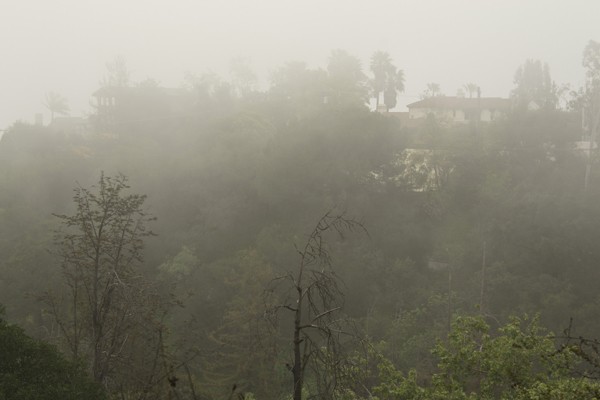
{"points": [[34, 370]]}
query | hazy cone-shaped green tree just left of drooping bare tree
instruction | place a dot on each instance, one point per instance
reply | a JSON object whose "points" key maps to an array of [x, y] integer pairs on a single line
{"points": [[244, 342]]}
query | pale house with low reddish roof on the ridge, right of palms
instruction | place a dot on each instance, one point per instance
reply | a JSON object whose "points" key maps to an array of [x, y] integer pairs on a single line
{"points": [[460, 109]]}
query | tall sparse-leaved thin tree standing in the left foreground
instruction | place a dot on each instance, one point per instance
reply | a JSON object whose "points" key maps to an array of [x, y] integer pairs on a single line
{"points": [[109, 314]]}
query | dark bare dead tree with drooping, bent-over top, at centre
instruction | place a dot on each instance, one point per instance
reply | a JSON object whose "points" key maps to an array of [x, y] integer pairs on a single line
{"points": [[314, 298]]}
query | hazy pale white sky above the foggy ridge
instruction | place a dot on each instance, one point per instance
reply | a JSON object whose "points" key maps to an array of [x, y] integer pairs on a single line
{"points": [[64, 45]]}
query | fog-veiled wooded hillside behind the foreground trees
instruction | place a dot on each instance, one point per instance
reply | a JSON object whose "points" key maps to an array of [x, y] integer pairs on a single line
{"points": [[237, 177]]}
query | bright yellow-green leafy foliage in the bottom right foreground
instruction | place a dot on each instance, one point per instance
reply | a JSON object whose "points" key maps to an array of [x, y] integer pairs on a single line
{"points": [[519, 362]]}
